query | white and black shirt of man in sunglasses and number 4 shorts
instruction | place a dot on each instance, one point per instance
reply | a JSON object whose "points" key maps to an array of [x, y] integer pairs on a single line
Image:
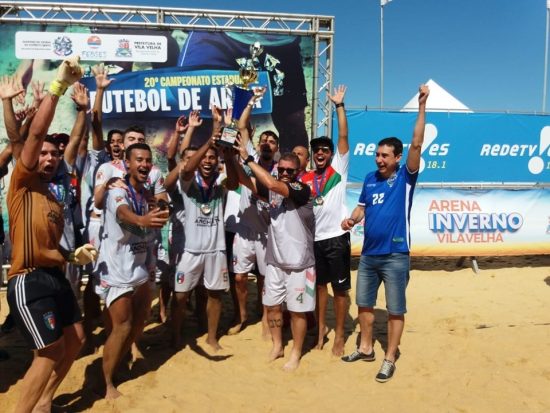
{"points": [[291, 231]]}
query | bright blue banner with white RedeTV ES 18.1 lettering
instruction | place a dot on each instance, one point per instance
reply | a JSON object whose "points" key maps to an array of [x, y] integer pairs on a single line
{"points": [[459, 147]]}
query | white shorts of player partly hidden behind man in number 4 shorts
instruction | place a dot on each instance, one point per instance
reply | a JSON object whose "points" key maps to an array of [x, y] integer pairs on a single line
{"points": [[248, 251]]}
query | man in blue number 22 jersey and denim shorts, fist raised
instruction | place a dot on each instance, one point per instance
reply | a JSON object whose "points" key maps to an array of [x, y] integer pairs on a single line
{"points": [[385, 203]]}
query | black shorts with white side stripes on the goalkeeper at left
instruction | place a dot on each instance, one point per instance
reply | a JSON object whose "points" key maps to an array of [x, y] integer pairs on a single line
{"points": [[42, 303]]}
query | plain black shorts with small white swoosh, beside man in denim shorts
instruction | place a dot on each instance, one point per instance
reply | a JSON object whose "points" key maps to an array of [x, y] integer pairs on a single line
{"points": [[333, 262]]}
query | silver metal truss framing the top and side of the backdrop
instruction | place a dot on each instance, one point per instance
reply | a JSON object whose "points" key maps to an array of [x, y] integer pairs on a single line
{"points": [[95, 15]]}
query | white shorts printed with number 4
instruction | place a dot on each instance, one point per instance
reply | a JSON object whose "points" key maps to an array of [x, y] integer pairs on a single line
{"points": [[297, 288]]}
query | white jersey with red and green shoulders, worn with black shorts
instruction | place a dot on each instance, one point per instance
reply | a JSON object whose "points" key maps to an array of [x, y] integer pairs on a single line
{"points": [[330, 188]]}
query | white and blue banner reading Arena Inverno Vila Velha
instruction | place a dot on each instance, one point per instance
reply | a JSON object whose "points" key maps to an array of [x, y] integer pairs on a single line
{"points": [[449, 222]]}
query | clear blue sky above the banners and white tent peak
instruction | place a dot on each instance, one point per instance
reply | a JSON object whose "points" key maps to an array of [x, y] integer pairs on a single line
{"points": [[487, 53]]}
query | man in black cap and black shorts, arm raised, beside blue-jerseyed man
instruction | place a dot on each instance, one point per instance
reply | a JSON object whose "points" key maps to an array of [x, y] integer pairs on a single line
{"points": [[332, 244]]}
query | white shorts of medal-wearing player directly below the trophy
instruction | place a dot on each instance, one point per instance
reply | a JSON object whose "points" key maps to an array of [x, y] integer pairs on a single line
{"points": [[211, 267]]}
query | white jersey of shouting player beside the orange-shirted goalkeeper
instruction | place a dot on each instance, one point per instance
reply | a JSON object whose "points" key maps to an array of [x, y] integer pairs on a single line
{"points": [[126, 252]]}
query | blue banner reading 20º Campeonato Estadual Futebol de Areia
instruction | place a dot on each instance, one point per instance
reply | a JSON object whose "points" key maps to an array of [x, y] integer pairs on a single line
{"points": [[167, 92]]}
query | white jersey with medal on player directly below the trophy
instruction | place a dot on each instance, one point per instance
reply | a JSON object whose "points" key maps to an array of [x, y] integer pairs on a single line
{"points": [[204, 230]]}
